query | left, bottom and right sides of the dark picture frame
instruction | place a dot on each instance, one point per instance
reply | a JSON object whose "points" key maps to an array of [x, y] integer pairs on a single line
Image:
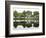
{"points": [[7, 20]]}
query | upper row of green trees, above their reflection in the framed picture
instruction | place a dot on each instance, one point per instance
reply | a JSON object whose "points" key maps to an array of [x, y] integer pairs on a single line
{"points": [[25, 13]]}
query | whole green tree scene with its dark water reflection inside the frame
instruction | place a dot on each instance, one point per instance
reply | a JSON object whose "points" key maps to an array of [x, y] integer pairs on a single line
{"points": [[26, 15]]}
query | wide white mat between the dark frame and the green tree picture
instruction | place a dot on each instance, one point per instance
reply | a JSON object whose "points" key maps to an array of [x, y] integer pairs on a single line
{"points": [[26, 30]]}
